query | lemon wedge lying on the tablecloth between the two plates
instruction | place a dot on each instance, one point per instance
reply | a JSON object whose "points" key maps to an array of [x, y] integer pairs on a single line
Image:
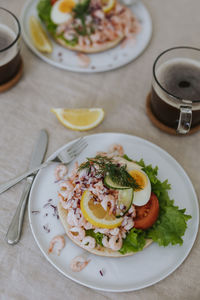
{"points": [[79, 119]]}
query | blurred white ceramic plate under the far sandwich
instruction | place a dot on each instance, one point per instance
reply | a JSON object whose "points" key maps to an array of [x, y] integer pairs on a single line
{"points": [[104, 61]]}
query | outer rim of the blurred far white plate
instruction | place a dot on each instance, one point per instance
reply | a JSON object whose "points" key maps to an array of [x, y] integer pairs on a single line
{"points": [[79, 69]]}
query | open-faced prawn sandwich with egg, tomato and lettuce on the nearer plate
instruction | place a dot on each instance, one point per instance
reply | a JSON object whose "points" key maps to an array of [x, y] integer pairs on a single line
{"points": [[113, 206]]}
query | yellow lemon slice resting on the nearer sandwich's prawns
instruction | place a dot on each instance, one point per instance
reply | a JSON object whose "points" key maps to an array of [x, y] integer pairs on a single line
{"points": [[96, 215]]}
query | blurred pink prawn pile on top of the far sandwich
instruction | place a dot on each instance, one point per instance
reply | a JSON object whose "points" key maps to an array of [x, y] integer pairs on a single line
{"points": [[102, 27]]}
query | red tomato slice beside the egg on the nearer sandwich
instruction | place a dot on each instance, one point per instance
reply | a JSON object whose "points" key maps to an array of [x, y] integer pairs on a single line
{"points": [[147, 214]]}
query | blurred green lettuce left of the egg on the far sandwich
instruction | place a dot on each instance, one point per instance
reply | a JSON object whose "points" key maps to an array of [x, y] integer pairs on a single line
{"points": [[44, 13]]}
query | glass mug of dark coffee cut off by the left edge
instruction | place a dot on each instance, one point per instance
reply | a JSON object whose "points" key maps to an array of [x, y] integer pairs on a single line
{"points": [[10, 32]]}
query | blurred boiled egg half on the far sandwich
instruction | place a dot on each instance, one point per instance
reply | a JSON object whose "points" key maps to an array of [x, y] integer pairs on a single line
{"points": [[61, 11]]}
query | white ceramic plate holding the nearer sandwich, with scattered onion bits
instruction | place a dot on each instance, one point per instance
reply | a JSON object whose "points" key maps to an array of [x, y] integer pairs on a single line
{"points": [[127, 273]]}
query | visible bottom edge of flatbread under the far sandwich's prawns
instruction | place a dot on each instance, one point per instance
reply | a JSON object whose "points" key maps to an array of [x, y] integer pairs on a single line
{"points": [[92, 49]]}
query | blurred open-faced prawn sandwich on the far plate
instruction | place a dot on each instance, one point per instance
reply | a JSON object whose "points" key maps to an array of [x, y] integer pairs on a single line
{"points": [[88, 26]]}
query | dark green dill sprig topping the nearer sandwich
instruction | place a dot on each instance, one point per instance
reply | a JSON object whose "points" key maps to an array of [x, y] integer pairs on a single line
{"points": [[106, 166]]}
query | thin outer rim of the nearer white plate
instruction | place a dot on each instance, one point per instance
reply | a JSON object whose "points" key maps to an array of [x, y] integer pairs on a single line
{"points": [[153, 281]]}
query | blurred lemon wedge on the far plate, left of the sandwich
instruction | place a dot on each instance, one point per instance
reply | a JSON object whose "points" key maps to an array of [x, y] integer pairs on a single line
{"points": [[39, 36]]}
